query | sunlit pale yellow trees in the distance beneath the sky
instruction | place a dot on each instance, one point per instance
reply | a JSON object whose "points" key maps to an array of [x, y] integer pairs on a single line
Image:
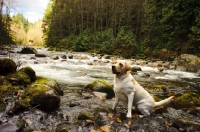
{"points": [[26, 33]]}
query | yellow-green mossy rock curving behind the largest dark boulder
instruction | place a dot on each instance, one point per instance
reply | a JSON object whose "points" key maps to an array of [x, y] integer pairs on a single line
{"points": [[49, 82]]}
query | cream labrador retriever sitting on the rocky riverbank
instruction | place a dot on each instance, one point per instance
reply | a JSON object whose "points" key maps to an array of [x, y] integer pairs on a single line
{"points": [[129, 91]]}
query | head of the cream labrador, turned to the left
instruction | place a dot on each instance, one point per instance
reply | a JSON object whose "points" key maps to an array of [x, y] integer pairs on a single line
{"points": [[120, 67]]}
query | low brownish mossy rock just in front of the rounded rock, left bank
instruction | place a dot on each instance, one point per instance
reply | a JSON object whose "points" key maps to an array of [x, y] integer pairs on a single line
{"points": [[19, 78]]}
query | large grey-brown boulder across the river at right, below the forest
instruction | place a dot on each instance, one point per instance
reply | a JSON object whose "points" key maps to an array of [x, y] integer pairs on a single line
{"points": [[188, 62]]}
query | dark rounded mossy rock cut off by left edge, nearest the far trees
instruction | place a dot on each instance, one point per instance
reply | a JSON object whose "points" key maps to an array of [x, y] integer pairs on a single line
{"points": [[7, 66]]}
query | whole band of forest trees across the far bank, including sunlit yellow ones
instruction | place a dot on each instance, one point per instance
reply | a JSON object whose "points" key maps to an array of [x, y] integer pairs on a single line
{"points": [[117, 27]]}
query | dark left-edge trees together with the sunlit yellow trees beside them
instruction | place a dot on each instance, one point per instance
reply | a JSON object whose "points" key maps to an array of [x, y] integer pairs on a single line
{"points": [[16, 29]]}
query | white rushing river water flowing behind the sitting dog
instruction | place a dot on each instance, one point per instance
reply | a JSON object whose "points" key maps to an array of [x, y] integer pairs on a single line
{"points": [[78, 71]]}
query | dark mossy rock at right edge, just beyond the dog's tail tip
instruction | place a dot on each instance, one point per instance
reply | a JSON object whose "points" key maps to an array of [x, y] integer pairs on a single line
{"points": [[187, 100]]}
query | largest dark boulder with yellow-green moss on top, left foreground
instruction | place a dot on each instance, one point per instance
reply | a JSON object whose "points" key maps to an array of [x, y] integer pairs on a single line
{"points": [[41, 96]]}
